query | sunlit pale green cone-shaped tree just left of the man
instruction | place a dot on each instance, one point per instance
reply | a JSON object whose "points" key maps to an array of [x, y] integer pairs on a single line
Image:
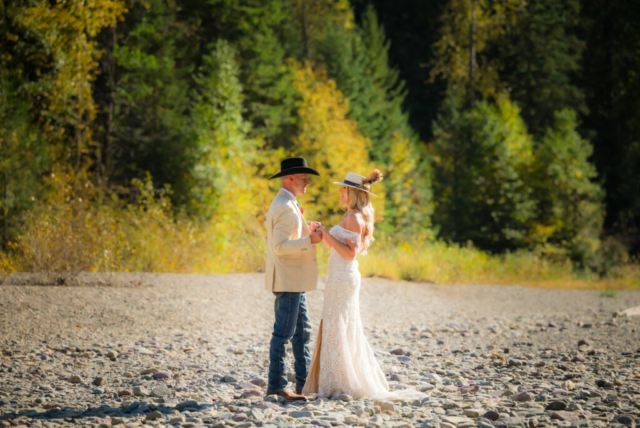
{"points": [[226, 185]]}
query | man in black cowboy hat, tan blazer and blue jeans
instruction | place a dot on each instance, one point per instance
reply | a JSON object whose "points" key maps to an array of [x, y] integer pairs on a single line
{"points": [[292, 270]]}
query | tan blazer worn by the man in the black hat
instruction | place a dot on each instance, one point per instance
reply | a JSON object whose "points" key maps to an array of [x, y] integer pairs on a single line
{"points": [[292, 263]]}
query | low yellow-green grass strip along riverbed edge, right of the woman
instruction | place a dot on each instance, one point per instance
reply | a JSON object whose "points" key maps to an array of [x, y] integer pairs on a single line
{"points": [[424, 260]]}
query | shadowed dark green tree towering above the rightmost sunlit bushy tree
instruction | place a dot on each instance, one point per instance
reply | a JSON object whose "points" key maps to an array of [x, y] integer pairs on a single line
{"points": [[541, 57]]}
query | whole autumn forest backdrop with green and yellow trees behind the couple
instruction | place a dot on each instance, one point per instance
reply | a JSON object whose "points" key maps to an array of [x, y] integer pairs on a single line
{"points": [[139, 135]]}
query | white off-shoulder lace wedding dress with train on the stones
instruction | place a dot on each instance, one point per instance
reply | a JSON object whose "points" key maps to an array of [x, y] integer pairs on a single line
{"points": [[343, 361]]}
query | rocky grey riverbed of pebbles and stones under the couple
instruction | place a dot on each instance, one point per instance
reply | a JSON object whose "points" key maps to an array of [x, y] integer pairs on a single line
{"points": [[192, 351]]}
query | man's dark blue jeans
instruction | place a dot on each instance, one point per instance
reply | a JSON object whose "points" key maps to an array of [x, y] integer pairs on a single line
{"points": [[292, 323]]}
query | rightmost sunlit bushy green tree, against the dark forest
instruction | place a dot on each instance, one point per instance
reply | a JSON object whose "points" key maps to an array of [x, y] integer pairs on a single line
{"points": [[570, 211]]}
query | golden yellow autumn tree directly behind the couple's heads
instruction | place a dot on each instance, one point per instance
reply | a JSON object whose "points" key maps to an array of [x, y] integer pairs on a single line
{"points": [[331, 143]]}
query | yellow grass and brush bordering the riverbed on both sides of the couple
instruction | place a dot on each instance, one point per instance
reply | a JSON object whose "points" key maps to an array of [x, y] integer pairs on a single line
{"points": [[68, 234]]}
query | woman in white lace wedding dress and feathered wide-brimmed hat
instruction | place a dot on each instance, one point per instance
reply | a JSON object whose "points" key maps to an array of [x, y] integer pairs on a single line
{"points": [[343, 362]]}
